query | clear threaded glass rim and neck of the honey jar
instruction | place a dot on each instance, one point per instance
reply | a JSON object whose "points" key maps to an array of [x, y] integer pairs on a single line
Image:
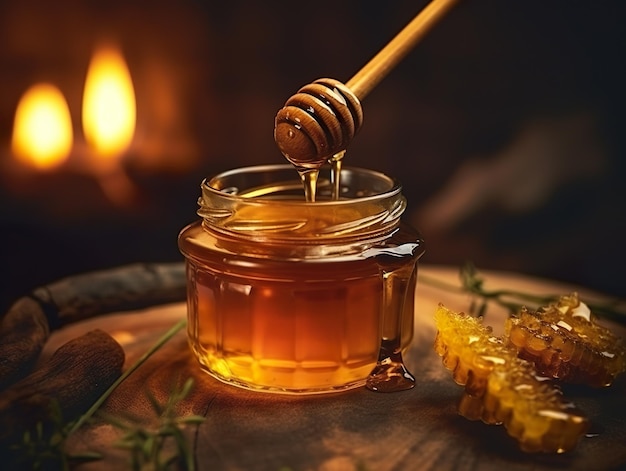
{"points": [[370, 204]]}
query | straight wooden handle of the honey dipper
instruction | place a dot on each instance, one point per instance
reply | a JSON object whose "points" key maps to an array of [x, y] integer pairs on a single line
{"points": [[388, 57]]}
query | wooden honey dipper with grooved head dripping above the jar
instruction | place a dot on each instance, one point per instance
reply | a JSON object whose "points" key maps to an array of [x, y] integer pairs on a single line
{"points": [[319, 121]]}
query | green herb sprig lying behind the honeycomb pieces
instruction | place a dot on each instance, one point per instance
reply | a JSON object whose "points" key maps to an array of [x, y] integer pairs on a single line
{"points": [[513, 300]]}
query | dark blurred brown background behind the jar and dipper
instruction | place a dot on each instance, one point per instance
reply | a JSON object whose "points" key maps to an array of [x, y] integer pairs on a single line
{"points": [[504, 126]]}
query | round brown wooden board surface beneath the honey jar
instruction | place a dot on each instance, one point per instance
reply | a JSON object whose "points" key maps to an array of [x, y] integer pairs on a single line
{"points": [[357, 429]]}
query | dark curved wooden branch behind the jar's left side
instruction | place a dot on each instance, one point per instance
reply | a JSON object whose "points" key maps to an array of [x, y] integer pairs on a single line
{"points": [[25, 328]]}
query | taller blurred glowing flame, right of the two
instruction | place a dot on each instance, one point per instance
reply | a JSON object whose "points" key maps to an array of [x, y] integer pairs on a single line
{"points": [[109, 108]]}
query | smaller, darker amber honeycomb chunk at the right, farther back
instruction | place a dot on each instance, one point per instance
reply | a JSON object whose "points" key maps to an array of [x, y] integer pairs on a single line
{"points": [[564, 341]]}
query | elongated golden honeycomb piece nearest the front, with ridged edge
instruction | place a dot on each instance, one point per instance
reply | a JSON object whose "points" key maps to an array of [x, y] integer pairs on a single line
{"points": [[501, 388]]}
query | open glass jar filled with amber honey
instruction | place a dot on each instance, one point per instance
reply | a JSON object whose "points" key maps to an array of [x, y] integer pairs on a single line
{"points": [[292, 296]]}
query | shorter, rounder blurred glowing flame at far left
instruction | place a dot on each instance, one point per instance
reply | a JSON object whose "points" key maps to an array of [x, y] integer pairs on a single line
{"points": [[42, 131]]}
